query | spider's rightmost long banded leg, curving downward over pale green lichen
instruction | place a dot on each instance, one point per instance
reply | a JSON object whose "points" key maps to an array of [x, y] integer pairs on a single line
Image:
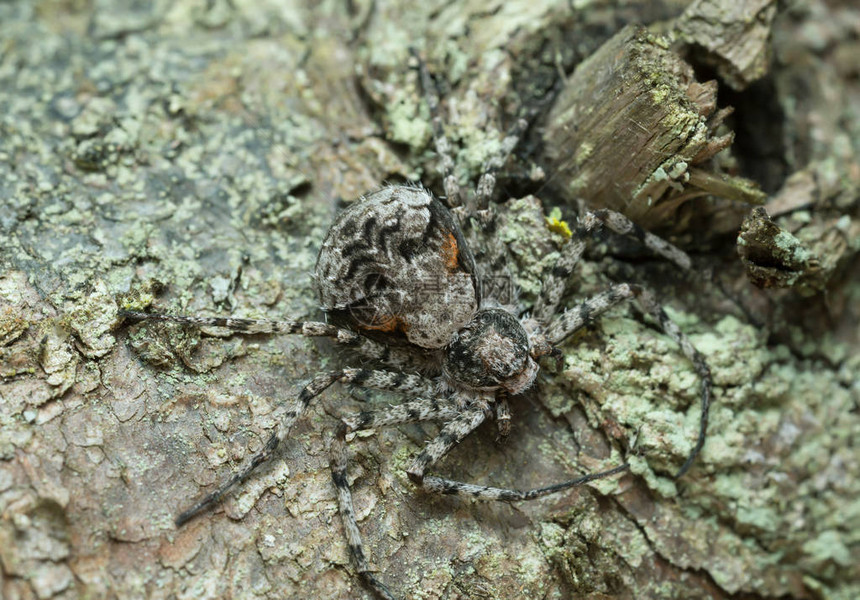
{"points": [[573, 320]]}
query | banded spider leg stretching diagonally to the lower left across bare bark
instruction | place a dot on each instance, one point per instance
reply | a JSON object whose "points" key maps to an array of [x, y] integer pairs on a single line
{"points": [[365, 377]]}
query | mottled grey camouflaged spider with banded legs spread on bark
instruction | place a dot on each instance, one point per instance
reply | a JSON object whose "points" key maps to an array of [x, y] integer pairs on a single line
{"points": [[400, 285]]}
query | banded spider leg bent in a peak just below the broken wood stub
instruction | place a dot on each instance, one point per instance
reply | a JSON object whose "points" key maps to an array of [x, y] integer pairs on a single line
{"points": [[556, 280]]}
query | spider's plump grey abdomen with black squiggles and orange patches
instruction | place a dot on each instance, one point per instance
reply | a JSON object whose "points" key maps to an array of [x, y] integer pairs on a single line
{"points": [[395, 263]]}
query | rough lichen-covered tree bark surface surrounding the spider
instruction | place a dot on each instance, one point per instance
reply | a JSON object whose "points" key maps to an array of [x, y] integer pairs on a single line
{"points": [[189, 158]]}
